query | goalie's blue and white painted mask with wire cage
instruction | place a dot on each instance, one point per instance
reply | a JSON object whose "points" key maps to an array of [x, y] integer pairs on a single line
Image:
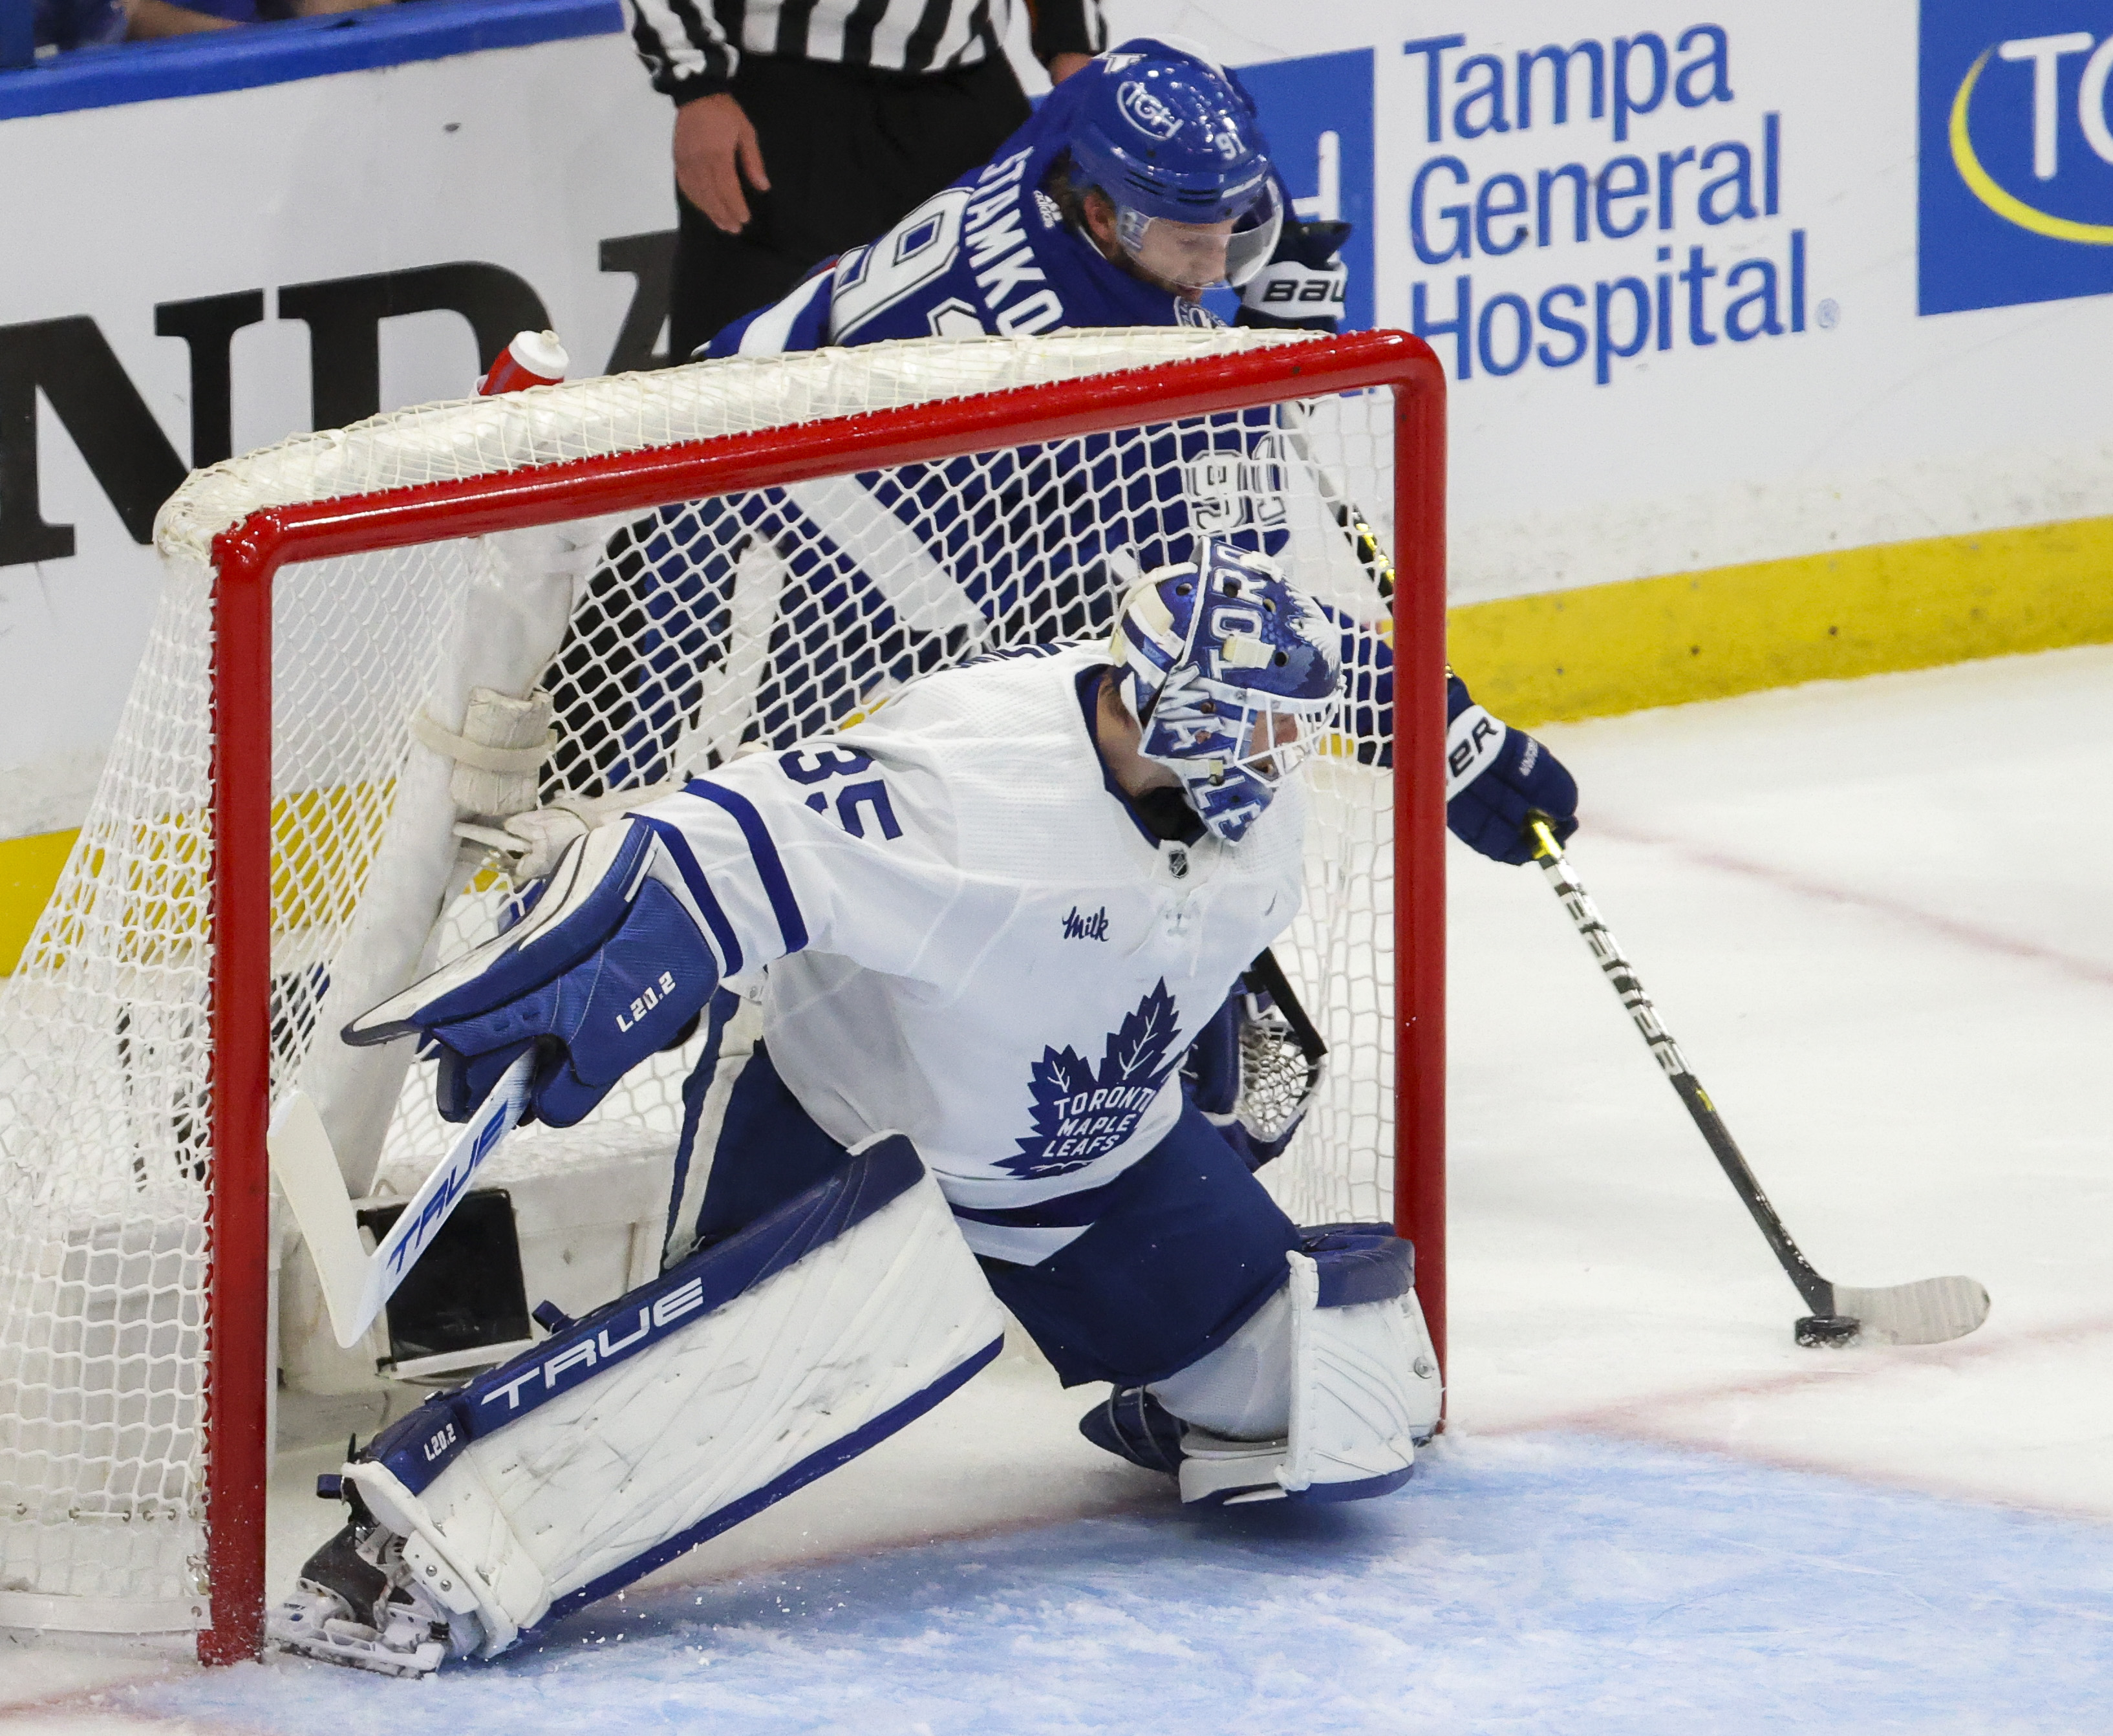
{"points": [[1233, 675]]}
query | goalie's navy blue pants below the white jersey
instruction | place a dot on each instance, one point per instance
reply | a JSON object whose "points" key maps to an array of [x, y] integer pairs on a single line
{"points": [[1123, 1283]]}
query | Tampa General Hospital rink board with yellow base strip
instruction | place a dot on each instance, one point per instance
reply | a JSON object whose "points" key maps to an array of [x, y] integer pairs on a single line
{"points": [[1751, 383]]}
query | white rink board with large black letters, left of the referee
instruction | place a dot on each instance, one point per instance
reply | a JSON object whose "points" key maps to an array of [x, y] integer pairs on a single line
{"points": [[331, 248]]}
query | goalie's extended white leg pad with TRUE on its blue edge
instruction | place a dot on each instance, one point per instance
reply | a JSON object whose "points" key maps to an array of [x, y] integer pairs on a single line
{"points": [[692, 1403]]}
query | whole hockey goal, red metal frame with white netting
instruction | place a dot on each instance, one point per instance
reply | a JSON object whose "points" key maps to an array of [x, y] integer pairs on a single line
{"points": [[690, 563]]}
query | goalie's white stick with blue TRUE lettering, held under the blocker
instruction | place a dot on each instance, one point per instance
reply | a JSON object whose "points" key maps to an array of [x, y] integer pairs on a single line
{"points": [[356, 1283]]}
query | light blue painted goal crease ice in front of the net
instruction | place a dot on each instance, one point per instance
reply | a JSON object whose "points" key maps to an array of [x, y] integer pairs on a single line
{"points": [[1552, 1587]]}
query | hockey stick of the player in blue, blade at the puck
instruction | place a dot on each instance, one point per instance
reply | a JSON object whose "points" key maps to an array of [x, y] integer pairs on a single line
{"points": [[1926, 1313]]}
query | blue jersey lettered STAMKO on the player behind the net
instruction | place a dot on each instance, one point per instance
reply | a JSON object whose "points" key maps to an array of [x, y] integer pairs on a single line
{"points": [[973, 554]]}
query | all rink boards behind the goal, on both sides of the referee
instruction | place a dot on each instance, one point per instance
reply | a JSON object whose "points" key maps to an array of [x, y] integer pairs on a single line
{"points": [[1776, 331]]}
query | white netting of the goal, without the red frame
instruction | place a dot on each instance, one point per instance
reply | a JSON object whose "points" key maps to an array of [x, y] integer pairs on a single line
{"points": [[665, 639]]}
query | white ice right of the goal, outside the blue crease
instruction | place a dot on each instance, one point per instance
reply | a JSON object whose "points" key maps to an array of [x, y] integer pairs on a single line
{"points": [[1875, 918]]}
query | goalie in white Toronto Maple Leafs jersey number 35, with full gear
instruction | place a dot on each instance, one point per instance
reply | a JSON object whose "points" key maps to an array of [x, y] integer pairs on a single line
{"points": [[950, 964]]}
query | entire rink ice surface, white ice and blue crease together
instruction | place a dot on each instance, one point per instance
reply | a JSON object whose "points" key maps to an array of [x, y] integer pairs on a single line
{"points": [[1875, 918]]}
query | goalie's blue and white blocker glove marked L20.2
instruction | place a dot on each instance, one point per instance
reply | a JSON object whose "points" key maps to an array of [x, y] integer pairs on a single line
{"points": [[610, 966]]}
